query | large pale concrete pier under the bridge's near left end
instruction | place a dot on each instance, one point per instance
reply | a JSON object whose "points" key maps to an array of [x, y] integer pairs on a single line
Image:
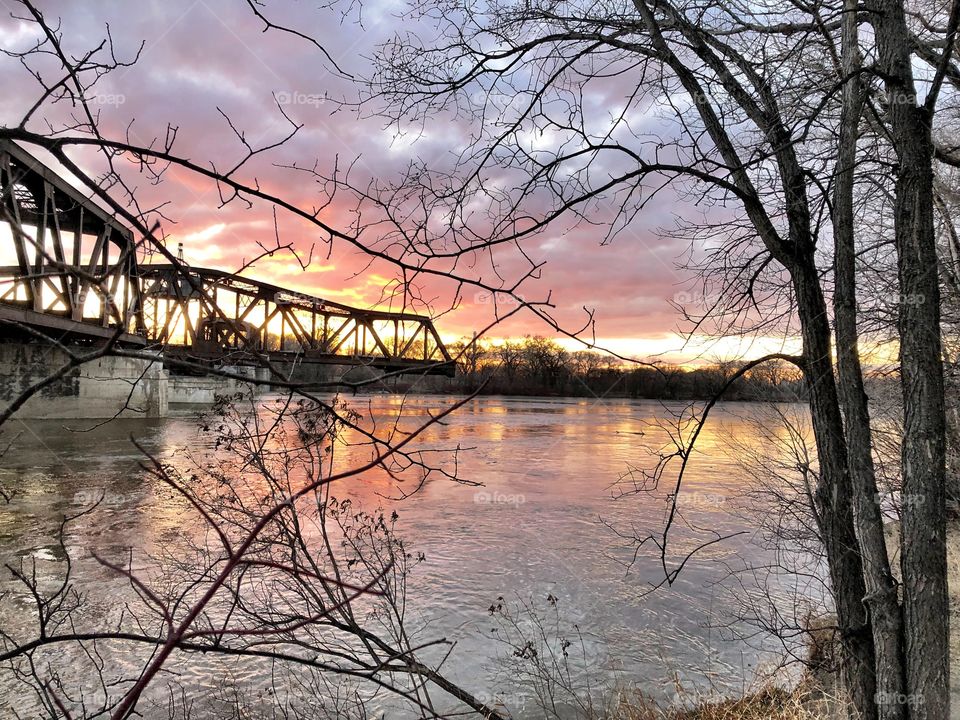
{"points": [[100, 389]]}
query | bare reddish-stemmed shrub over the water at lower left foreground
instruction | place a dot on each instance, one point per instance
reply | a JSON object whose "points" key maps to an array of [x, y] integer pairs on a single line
{"points": [[279, 575]]}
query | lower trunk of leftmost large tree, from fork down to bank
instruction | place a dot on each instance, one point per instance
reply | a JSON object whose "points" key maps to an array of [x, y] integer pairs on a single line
{"points": [[834, 495]]}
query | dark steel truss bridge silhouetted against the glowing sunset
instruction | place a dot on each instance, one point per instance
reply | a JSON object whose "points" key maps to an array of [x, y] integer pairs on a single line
{"points": [[72, 273]]}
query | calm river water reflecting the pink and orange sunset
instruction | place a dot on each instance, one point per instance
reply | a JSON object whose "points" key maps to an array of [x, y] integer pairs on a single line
{"points": [[540, 526]]}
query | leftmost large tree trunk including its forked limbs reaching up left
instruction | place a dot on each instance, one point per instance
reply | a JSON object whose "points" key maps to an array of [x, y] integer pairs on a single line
{"points": [[797, 254]]}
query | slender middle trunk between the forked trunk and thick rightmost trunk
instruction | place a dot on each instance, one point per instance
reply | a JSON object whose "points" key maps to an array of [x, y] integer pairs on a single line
{"points": [[881, 598]]}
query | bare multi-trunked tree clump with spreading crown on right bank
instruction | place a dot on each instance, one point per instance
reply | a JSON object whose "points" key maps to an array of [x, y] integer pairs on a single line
{"points": [[770, 114]]}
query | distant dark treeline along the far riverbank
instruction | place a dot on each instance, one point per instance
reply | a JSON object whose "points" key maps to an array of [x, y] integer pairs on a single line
{"points": [[540, 366]]}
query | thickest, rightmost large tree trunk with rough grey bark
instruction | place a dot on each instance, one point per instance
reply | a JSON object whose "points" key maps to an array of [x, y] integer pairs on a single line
{"points": [[923, 533]]}
